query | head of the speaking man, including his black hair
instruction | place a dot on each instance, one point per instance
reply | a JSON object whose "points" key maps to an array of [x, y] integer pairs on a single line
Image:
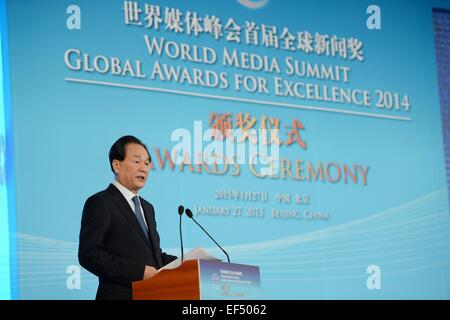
{"points": [[130, 162]]}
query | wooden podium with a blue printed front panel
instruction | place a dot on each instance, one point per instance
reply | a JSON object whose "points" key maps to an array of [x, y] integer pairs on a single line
{"points": [[201, 280]]}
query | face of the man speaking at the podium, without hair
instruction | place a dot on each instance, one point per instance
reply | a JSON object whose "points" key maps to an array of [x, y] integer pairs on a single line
{"points": [[132, 172]]}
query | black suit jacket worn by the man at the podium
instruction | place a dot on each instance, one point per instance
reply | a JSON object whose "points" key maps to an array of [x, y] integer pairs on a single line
{"points": [[114, 247]]}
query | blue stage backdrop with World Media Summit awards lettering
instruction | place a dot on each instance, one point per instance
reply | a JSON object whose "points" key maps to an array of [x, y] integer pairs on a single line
{"points": [[305, 136]]}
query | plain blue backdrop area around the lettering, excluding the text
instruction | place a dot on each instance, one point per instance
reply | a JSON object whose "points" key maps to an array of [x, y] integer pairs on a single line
{"points": [[62, 134]]}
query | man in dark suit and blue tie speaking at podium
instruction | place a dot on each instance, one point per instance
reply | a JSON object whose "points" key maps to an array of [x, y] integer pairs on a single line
{"points": [[119, 242]]}
